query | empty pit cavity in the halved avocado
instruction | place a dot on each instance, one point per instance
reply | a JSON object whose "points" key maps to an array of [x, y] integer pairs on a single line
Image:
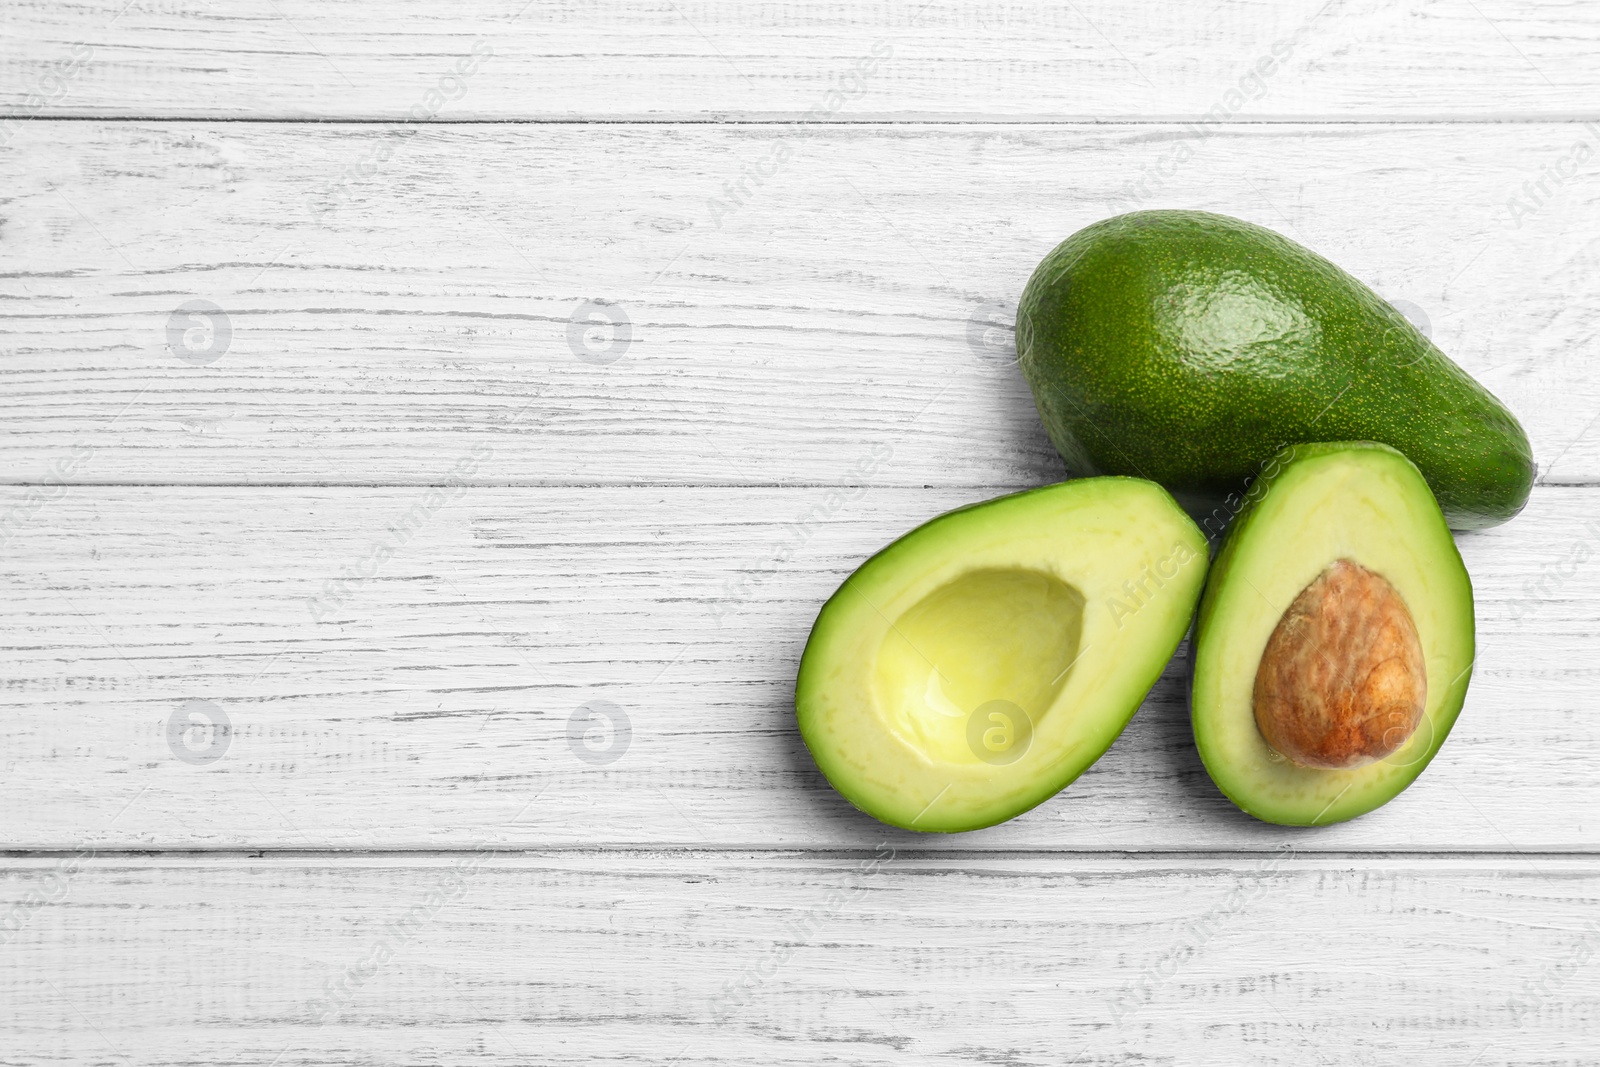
{"points": [[967, 674]]}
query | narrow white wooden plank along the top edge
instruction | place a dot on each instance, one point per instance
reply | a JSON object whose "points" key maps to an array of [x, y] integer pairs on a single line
{"points": [[1094, 60]]}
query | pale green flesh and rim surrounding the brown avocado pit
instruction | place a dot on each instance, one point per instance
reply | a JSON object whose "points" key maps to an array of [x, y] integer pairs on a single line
{"points": [[1318, 505]]}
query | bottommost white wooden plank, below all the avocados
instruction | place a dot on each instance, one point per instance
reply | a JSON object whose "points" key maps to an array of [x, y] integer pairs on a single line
{"points": [[868, 959]]}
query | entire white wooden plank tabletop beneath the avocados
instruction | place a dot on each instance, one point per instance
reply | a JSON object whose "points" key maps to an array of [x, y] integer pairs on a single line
{"points": [[410, 530]]}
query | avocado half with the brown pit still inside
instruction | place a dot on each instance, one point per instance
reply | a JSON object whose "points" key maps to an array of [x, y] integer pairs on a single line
{"points": [[1335, 639]]}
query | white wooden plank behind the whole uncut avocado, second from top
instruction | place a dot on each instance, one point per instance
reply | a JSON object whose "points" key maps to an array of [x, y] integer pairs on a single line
{"points": [[836, 329]]}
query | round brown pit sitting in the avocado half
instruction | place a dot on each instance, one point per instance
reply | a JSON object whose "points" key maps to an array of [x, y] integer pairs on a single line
{"points": [[1343, 681]]}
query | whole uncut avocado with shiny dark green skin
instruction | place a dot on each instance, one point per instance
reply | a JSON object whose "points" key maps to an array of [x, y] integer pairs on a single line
{"points": [[1188, 348]]}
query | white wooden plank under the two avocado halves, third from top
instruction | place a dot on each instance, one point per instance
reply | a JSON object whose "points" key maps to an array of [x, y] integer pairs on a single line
{"points": [[406, 669]]}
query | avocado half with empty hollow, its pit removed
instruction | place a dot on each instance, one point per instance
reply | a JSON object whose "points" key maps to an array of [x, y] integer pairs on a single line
{"points": [[982, 663]]}
